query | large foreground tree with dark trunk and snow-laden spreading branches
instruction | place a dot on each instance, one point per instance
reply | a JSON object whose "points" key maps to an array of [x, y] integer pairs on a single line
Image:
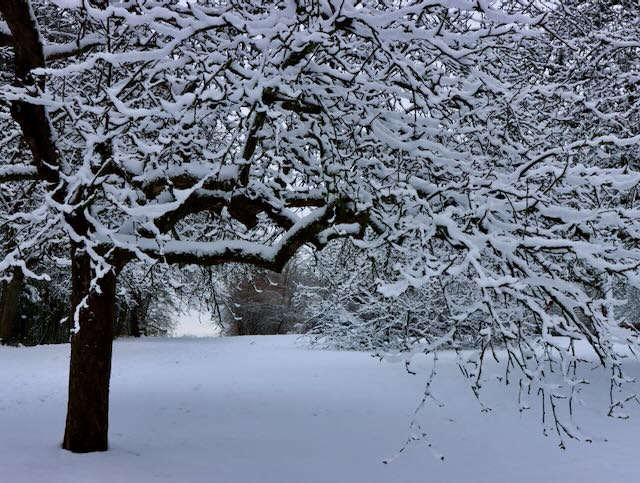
{"points": [[213, 132]]}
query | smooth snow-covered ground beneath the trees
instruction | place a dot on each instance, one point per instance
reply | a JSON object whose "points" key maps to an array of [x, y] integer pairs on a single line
{"points": [[264, 409]]}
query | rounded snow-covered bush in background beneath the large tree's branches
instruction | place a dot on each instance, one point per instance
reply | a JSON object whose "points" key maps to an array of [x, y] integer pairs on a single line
{"points": [[343, 306]]}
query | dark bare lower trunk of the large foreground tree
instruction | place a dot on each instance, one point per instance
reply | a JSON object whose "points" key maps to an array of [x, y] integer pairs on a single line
{"points": [[88, 407]]}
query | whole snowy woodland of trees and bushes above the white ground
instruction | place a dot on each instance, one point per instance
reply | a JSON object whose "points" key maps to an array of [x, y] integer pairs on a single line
{"points": [[404, 176]]}
